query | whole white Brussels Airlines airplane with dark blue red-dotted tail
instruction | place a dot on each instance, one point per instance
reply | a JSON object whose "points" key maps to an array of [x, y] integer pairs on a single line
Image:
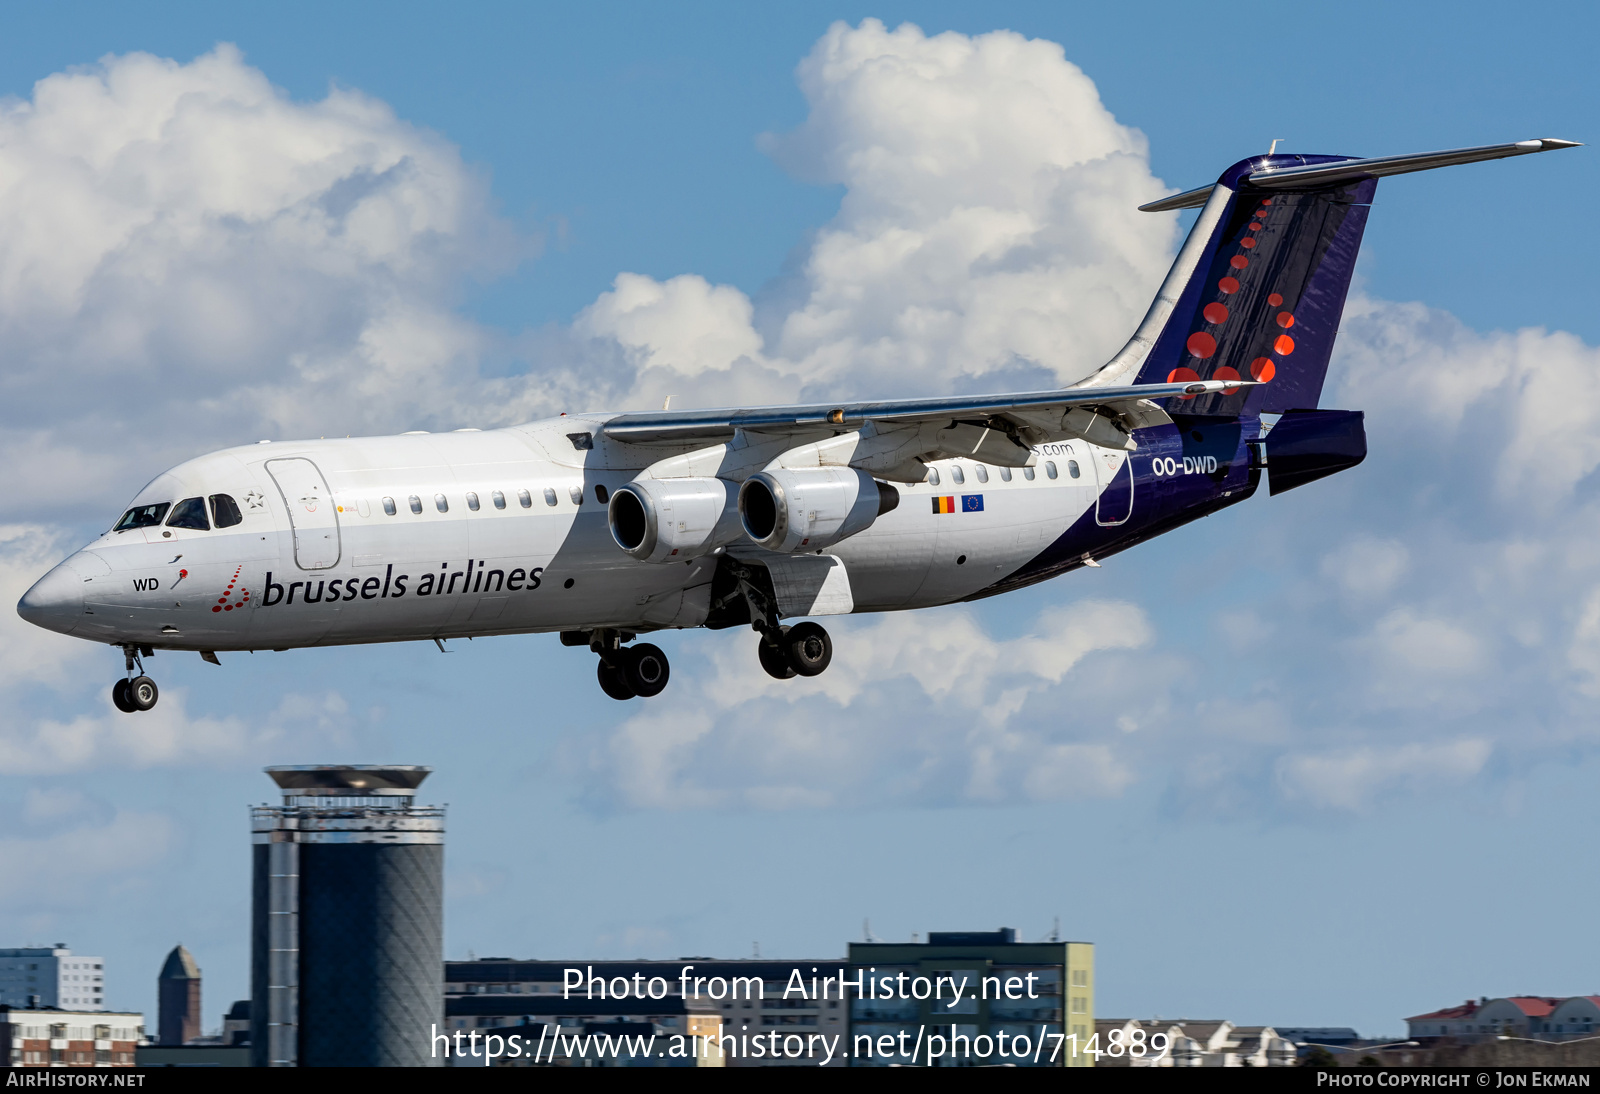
{"points": [[606, 527]]}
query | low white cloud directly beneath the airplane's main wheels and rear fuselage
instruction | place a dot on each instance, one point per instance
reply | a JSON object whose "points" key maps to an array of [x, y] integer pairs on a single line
{"points": [[913, 711]]}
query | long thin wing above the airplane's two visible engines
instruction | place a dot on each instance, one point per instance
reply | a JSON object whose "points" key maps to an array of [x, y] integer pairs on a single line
{"points": [[1015, 410]]}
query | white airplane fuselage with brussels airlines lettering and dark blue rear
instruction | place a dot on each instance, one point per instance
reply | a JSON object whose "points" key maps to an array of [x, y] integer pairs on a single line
{"points": [[505, 532]]}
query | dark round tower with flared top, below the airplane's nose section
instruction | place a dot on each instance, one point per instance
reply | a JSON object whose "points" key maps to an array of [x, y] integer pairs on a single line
{"points": [[348, 920]]}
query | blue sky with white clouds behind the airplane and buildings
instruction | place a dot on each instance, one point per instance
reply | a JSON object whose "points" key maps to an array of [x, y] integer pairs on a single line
{"points": [[1327, 756]]}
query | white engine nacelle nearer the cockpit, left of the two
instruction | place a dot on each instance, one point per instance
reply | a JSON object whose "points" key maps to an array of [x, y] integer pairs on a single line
{"points": [[674, 519]]}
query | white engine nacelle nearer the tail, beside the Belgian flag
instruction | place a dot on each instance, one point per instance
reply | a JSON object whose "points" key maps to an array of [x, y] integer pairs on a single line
{"points": [[790, 511]]}
